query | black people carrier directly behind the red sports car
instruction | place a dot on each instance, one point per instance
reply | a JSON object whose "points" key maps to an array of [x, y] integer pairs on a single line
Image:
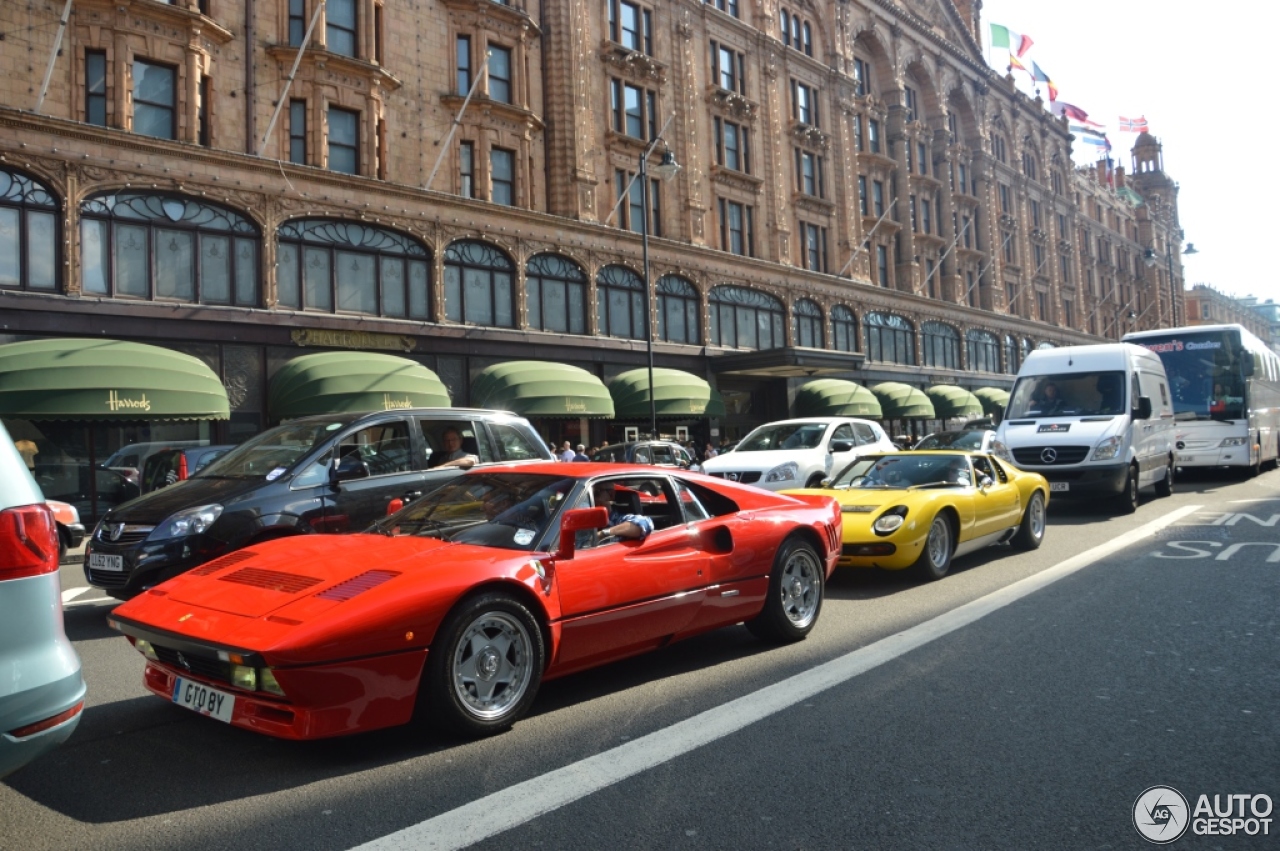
{"points": [[322, 474]]}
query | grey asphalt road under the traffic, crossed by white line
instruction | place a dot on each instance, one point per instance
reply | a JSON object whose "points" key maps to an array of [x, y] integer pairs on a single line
{"points": [[1026, 702]]}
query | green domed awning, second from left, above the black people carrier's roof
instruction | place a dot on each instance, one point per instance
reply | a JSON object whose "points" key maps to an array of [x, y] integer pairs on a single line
{"points": [[341, 382]]}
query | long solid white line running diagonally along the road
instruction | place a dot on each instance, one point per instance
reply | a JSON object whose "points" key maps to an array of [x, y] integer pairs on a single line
{"points": [[525, 802]]}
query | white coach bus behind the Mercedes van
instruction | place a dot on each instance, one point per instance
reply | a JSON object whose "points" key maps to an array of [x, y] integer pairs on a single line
{"points": [[1226, 385]]}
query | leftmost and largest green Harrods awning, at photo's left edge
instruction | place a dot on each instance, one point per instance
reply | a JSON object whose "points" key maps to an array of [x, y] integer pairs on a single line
{"points": [[94, 379]]}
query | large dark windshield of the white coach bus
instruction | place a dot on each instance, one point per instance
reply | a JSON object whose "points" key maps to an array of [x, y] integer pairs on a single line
{"points": [[1205, 370]]}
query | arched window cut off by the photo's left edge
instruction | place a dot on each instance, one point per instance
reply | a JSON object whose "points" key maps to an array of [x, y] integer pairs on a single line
{"points": [[29, 234]]}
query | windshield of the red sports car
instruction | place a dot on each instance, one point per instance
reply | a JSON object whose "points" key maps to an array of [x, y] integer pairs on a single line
{"points": [[510, 511]]}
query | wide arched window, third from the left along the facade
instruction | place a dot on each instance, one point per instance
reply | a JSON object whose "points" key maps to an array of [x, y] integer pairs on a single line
{"points": [[351, 268]]}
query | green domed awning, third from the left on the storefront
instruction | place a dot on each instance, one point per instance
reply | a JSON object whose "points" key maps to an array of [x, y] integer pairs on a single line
{"points": [[542, 390]]}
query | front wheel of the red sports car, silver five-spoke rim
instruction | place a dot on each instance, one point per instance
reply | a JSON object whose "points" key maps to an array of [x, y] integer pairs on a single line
{"points": [[484, 667]]}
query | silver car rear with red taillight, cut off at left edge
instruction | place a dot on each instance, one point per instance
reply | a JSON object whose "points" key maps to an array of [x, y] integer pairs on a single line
{"points": [[42, 689]]}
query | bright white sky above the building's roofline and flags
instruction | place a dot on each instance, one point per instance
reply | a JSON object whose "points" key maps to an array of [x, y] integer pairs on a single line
{"points": [[1205, 88]]}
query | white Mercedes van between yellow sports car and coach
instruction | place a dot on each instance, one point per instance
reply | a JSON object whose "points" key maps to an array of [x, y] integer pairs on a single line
{"points": [[1095, 420]]}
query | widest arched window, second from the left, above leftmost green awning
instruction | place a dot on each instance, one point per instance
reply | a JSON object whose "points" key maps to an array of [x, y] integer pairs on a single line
{"points": [[156, 246]]}
